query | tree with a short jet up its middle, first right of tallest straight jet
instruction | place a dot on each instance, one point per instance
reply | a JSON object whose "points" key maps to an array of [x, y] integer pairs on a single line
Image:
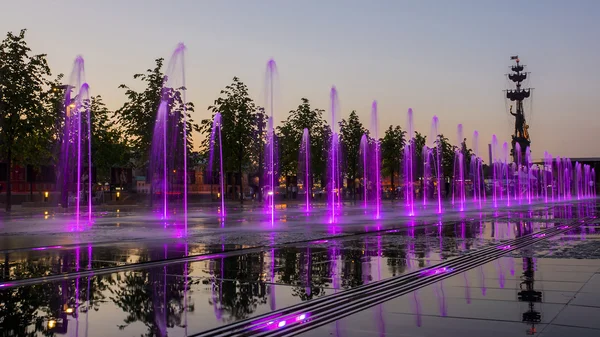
{"points": [[290, 134]]}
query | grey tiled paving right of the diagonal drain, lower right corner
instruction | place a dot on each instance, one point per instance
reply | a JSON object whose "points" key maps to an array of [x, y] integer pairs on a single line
{"points": [[484, 302]]}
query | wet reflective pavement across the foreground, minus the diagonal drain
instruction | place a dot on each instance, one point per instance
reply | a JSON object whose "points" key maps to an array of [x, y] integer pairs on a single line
{"points": [[122, 281]]}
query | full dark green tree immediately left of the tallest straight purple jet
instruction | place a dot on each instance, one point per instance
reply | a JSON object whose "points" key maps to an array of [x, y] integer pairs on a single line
{"points": [[239, 127]]}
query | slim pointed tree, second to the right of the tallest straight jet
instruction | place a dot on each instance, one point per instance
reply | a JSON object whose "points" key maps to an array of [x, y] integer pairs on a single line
{"points": [[351, 132]]}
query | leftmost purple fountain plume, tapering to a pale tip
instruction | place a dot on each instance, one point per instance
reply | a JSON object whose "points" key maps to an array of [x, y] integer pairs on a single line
{"points": [[76, 154]]}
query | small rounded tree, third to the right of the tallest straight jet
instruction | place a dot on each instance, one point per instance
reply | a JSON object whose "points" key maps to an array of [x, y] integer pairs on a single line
{"points": [[392, 145]]}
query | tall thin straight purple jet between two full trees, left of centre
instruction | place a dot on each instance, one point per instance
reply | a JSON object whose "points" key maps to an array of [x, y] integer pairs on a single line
{"points": [[271, 75]]}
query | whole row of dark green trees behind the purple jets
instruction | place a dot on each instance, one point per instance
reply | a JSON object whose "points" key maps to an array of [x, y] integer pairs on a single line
{"points": [[32, 117]]}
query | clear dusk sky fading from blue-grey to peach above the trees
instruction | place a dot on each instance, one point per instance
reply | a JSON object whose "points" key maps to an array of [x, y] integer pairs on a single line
{"points": [[444, 58]]}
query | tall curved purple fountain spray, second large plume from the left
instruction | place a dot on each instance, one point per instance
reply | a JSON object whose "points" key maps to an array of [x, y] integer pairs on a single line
{"points": [[168, 157]]}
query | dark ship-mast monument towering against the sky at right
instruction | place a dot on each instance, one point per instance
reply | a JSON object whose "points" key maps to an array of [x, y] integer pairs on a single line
{"points": [[521, 135]]}
